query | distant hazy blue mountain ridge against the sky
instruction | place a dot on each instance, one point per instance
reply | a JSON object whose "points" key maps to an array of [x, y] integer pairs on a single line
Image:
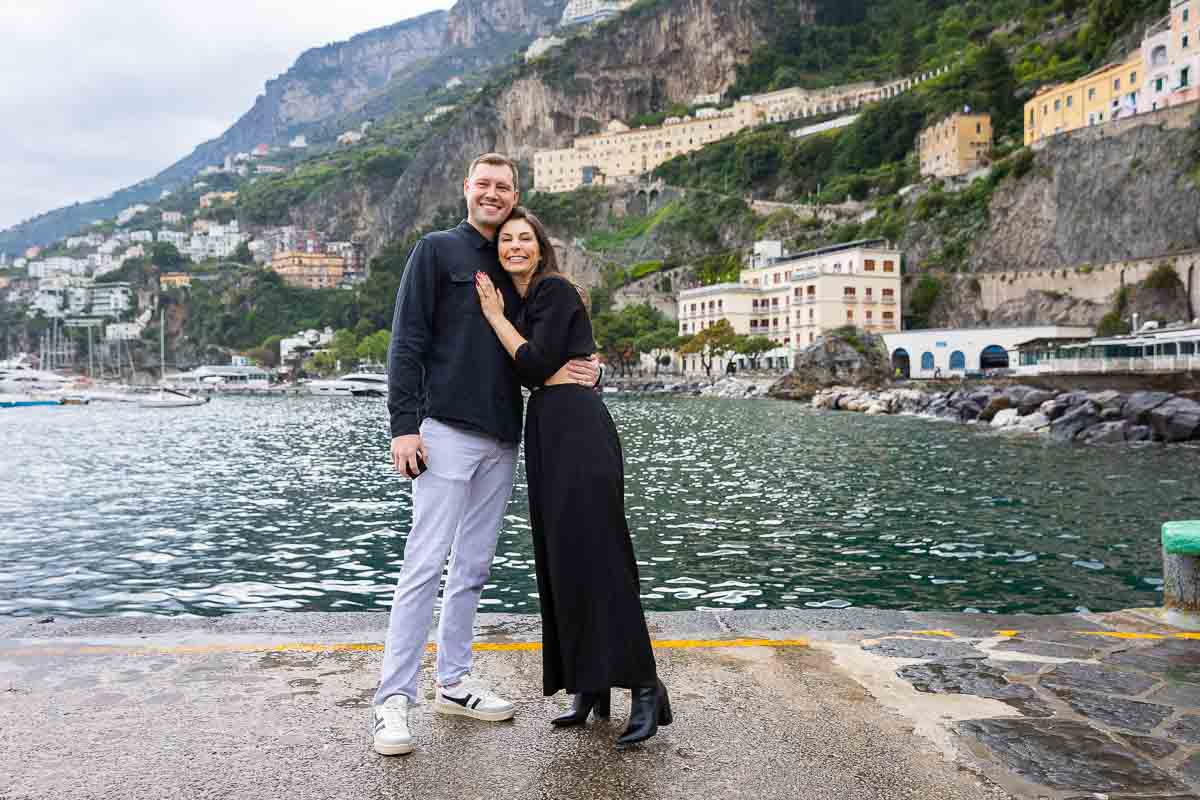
{"points": [[329, 88]]}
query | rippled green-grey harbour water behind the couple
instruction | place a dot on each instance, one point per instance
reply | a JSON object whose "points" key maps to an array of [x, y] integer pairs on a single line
{"points": [[290, 504]]}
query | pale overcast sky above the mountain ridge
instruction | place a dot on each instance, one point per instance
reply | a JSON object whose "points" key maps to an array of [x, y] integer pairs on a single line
{"points": [[100, 94]]}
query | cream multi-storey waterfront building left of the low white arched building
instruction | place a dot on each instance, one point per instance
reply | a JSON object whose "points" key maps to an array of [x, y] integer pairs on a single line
{"points": [[795, 299]]}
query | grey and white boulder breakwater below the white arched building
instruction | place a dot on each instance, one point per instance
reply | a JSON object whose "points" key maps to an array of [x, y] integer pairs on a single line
{"points": [[1090, 418]]}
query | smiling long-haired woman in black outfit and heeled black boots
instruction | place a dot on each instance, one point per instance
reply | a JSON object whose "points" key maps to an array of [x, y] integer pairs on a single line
{"points": [[595, 633]]}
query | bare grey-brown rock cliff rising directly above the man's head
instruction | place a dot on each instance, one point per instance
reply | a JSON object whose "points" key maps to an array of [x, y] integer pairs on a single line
{"points": [[653, 55]]}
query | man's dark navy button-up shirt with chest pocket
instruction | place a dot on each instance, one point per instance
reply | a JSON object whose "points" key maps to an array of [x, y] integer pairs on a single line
{"points": [[446, 362]]}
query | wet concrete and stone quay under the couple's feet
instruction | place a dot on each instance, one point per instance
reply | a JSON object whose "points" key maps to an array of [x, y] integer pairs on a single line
{"points": [[769, 705]]}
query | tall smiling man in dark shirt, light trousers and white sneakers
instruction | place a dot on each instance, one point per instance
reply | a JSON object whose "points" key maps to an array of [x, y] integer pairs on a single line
{"points": [[455, 408]]}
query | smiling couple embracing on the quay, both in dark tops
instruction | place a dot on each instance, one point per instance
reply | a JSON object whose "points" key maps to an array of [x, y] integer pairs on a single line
{"points": [[482, 311]]}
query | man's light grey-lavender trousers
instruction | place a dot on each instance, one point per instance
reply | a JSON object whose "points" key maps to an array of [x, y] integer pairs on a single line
{"points": [[458, 507]]}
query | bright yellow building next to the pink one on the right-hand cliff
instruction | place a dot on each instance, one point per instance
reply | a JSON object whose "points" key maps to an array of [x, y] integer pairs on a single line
{"points": [[1102, 97]]}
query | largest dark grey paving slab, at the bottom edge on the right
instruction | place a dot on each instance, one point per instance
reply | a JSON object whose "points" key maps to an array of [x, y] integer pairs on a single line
{"points": [[1069, 756]]}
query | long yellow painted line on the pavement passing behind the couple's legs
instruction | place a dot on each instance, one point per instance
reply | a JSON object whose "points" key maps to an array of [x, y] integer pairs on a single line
{"points": [[365, 647]]}
